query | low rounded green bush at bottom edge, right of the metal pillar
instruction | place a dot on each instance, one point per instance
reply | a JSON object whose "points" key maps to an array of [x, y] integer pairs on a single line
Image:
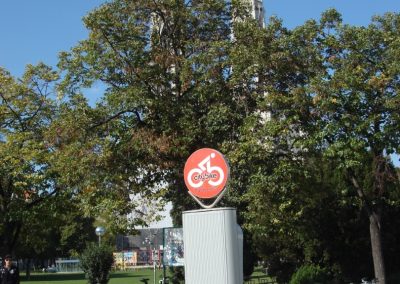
{"points": [[310, 274]]}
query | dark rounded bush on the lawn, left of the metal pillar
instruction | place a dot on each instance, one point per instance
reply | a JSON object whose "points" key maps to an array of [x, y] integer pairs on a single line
{"points": [[96, 262]]}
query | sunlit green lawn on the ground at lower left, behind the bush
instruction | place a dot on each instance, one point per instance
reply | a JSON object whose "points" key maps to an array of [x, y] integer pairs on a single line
{"points": [[131, 277]]}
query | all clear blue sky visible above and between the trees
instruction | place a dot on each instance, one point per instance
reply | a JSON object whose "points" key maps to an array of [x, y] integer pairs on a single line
{"points": [[37, 30]]}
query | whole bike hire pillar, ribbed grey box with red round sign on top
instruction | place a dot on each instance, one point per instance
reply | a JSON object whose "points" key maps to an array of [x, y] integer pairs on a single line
{"points": [[212, 238]]}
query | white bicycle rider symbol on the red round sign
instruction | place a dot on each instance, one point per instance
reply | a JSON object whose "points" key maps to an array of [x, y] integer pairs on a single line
{"points": [[200, 177]]}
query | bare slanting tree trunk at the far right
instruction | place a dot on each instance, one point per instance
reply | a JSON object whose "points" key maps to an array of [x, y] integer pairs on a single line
{"points": [[376, 246]]}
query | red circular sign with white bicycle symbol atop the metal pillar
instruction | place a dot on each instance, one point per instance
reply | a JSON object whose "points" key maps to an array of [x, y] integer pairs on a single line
{"points": [[206, 173]]}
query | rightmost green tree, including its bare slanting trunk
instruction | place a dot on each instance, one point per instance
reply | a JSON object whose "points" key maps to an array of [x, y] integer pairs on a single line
{"points": [[357, 102]]}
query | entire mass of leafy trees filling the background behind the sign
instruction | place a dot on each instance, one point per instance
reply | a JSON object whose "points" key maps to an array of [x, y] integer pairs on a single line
{"points": [[308, 119]]}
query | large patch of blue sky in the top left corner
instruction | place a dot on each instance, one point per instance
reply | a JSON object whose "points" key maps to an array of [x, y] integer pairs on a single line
{"points": [[37, 30]]}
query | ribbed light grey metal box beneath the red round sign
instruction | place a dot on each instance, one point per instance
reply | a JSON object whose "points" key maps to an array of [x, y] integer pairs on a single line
{"points": [[212, 247]]}
